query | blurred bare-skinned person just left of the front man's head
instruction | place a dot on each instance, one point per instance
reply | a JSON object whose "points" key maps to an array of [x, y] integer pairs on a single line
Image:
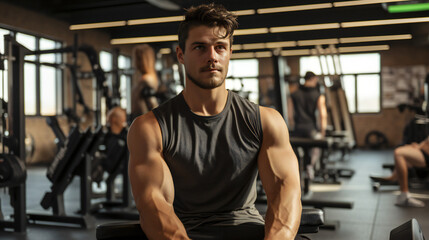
{"points": [[143, 97]]}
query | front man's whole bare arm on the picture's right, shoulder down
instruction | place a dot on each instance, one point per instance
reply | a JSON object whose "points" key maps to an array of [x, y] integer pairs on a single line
{"points": [[279, 172]]}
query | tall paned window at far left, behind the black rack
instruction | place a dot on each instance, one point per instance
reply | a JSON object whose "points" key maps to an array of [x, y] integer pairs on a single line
{"points": [[42, 78]]}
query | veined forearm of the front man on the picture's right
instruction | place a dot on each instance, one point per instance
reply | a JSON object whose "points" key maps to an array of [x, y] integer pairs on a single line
{"points": [[283, 214]]}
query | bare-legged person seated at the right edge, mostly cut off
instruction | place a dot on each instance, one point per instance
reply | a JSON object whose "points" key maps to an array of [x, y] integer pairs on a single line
{"points": [[411, 155]]}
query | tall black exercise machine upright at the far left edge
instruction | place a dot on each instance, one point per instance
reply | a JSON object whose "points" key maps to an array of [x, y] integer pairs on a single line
{"points": [[14, 54]]}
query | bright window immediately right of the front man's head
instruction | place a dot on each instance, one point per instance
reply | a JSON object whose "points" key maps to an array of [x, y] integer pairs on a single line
{"points": [[243, 78]]}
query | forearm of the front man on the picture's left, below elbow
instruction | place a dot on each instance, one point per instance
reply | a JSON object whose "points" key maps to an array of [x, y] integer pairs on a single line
{"points": [[159, 221]]}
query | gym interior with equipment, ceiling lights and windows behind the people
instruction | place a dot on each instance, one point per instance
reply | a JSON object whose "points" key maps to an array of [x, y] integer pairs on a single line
{"points": [[65, 64]]}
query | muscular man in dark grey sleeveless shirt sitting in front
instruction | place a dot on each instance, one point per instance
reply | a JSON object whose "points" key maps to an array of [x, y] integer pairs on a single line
{"points": [[194, 160]]}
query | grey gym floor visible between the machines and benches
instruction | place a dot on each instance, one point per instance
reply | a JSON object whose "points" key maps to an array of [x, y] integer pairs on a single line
{"points": [[372, 217]]}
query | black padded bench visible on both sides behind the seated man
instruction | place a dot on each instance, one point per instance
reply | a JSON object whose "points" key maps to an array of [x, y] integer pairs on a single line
{"points": [[311, 219]]}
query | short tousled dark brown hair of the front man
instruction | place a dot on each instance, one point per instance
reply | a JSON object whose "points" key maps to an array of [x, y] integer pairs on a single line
{"points": [[211, 15]]}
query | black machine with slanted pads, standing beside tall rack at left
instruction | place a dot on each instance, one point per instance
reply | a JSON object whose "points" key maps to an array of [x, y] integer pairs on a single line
{"points": [[73, 159]]}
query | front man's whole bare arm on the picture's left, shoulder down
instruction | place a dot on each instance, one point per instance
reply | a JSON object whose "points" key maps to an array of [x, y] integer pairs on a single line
{"points": [[151, 181]]}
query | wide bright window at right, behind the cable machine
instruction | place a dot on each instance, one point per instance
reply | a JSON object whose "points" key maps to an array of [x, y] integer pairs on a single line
{"points": [[360, 76]]}
